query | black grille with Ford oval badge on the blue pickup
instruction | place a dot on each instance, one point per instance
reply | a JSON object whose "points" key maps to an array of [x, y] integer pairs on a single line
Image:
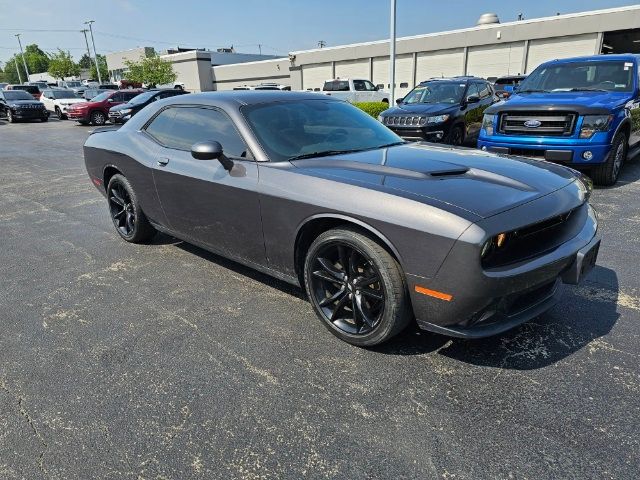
{"points": [[537, 123]]}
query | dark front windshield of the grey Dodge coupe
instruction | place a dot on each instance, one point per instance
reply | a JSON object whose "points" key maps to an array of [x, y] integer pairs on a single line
{"points": [[291, 129]]}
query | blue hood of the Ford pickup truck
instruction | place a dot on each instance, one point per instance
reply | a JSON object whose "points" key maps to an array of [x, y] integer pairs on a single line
{"points": [[582, 102]]}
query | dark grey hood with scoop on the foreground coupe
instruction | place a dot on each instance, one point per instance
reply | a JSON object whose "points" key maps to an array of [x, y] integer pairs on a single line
{"points": [[480, 183]]}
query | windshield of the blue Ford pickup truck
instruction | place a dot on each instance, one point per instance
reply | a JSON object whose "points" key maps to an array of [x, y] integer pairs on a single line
{"points": [[609, 76]]}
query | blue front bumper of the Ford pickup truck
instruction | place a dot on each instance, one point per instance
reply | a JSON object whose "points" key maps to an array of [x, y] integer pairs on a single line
{"points": [[564, 153]]}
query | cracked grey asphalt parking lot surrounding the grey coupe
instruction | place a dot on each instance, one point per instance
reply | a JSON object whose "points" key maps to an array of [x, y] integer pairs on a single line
{"points": [[165, 361]]}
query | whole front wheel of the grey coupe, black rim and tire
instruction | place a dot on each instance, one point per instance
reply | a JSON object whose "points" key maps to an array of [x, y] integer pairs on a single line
{"points": [[356, 287]]}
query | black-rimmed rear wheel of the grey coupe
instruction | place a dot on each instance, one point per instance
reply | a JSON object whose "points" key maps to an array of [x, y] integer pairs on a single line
{"points": [[130, 221]]}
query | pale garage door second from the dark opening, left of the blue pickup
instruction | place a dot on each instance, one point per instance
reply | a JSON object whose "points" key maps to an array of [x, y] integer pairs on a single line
{"points": [[495, 60]]}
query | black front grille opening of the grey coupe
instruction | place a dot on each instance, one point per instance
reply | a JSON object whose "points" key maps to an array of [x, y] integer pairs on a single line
{"points": [[537, 239]]}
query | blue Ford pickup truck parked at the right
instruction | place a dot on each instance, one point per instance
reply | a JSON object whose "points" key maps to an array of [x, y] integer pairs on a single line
{"points": [[574, 111]]}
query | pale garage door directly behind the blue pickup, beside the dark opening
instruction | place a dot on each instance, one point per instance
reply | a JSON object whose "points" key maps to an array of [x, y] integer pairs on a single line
{"points": [[560, 47]]}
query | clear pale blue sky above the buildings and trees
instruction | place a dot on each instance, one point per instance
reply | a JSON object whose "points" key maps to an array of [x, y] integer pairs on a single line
{"points": [[278, 26]]}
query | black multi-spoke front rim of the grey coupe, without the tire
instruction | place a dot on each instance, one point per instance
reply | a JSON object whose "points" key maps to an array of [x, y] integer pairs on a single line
{"points": [[345, 298]]}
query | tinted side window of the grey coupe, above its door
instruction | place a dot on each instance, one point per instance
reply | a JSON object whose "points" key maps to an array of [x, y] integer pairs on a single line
{"points": [[182, 127]]}
